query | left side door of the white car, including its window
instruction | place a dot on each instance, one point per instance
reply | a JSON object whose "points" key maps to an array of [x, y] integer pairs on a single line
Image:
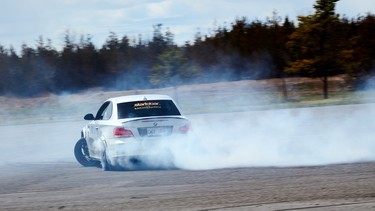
{"points": [[95, 129]]}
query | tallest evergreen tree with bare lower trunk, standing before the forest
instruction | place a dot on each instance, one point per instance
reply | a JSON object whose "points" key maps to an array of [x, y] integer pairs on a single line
{"points": [[314, 44]]}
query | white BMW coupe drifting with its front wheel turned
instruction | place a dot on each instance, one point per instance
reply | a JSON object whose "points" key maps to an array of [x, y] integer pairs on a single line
{"points": [[126, 128]]}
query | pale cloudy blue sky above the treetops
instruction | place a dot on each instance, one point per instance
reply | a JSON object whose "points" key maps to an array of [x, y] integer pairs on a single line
{"points": [[23, 21]]}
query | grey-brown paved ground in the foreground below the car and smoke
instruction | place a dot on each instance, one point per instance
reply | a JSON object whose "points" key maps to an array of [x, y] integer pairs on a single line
{"points": [[67, 186]]}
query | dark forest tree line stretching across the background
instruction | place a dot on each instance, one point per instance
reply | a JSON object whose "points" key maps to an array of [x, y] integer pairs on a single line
{"points": [[319, 45]]}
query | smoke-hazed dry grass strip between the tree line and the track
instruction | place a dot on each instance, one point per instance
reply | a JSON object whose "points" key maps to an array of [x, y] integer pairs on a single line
{"points": [[197, 98]]}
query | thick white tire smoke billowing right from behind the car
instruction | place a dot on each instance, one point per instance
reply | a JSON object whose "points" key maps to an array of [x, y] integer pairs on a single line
{"points": [[291, 137]]}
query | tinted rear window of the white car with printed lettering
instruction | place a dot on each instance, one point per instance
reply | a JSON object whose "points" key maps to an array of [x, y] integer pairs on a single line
{"points": [[147, 108]]}
